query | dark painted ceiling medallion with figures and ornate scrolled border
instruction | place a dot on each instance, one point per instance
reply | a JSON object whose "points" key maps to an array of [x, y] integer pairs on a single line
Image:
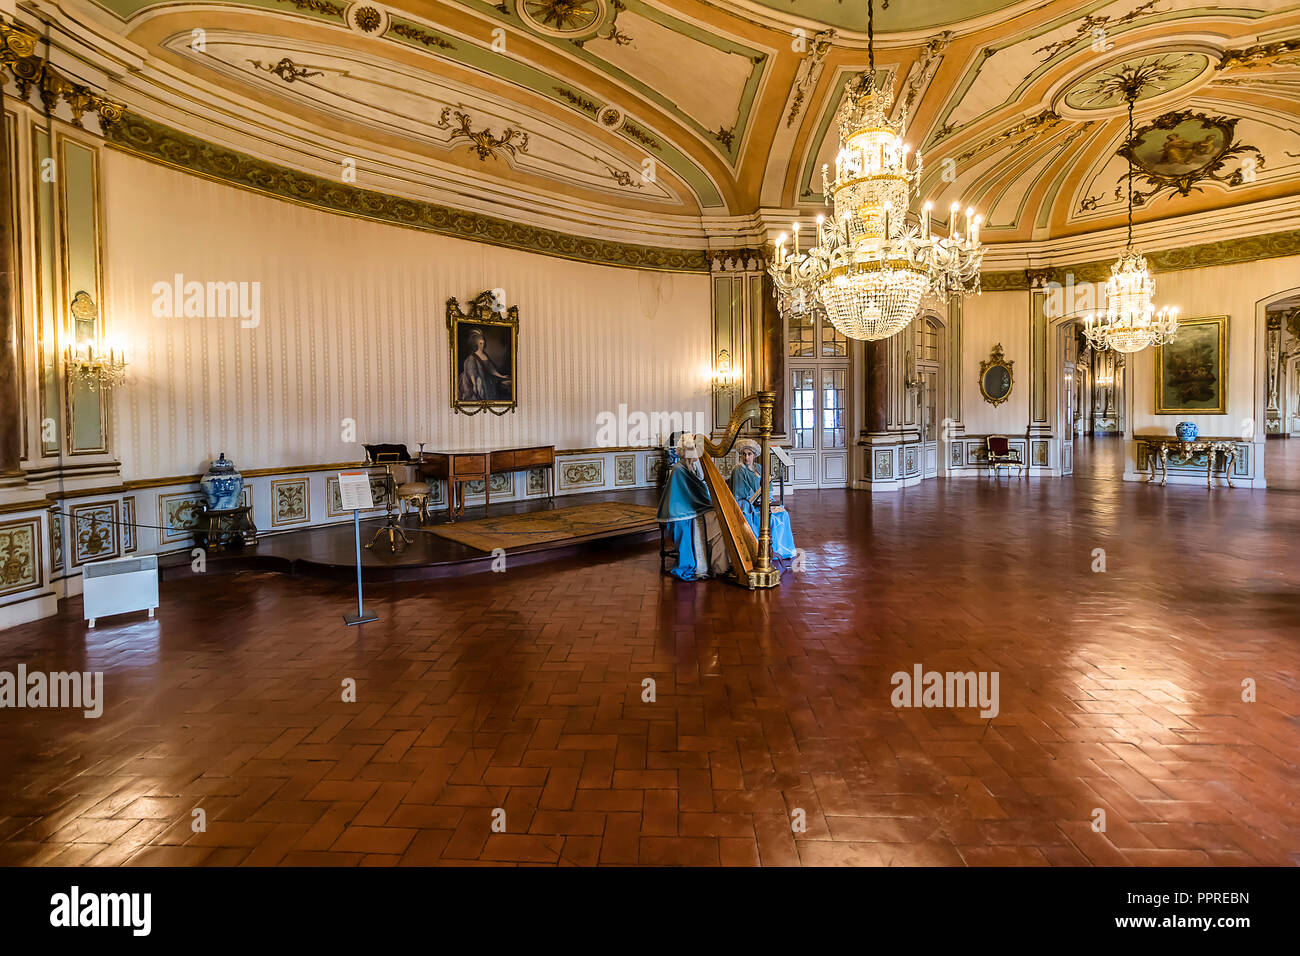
{"points": [[1181, 150]]}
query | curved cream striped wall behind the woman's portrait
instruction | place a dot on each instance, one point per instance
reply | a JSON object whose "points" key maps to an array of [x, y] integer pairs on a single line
{"points": [[353, 326]]}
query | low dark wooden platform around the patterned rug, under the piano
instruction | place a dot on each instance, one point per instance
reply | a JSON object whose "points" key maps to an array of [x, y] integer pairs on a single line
{"points": [[330, 552]]}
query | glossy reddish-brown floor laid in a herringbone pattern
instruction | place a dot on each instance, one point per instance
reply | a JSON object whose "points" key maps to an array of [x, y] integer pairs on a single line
{"points": [[523, 691]]}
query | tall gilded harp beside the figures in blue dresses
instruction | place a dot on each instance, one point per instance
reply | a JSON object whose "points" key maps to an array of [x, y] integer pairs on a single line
{"points": [[751, 557]]}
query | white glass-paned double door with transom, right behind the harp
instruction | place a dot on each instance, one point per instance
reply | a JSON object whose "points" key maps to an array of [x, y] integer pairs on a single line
{"points": [[818, 377]]}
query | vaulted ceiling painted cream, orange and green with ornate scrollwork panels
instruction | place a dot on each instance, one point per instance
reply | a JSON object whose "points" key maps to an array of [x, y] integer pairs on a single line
{"points": [[678, 111]]}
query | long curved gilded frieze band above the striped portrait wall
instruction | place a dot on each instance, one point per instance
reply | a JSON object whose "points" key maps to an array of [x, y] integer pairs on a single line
{"points": [[164, 145]]}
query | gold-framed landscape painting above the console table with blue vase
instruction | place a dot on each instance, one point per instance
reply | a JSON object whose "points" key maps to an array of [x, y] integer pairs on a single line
{"points": [[1191, 371]]}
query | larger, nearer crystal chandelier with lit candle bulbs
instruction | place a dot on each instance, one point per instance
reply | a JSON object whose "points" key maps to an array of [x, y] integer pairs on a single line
{"points": [[872, 263]]}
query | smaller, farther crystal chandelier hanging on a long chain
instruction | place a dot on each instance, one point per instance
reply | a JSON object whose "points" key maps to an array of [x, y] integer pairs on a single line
{"points": [[1132, 322]]}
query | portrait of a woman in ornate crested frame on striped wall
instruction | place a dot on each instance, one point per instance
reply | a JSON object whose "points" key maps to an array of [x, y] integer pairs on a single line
{"points": [[484, 354]]}
